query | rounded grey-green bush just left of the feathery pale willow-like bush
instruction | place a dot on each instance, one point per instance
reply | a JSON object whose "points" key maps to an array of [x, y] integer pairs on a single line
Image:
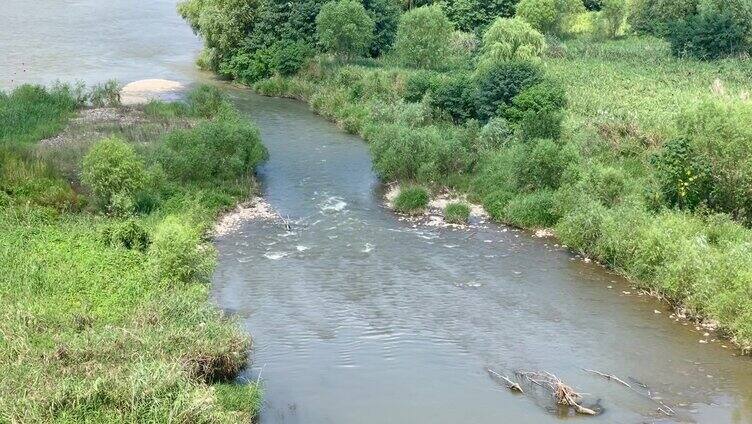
{"points": [[423, 37]]}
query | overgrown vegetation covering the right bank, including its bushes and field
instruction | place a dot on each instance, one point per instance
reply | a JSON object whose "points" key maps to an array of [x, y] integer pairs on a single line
{"points": [[564, 118]]}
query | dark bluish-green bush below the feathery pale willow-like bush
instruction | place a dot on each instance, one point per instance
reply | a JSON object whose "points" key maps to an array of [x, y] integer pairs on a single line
{"points": [[501, 83]]}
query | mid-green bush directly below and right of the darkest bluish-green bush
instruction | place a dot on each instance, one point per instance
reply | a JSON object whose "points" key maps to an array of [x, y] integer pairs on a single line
{"points": [[537, 111]]}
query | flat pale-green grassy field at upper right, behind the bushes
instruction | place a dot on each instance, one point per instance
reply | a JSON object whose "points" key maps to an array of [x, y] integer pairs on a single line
{"points": [[635, 80]]}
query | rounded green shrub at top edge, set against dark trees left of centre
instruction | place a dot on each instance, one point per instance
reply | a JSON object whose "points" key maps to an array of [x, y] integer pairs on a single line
{"points": [[345, 28]]}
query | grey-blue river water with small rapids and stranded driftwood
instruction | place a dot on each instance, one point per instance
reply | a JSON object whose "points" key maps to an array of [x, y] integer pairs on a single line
{"points": [[359, 317]]}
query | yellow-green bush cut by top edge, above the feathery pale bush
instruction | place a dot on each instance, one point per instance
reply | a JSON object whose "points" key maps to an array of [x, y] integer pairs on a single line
{"points": [[549, 16]]}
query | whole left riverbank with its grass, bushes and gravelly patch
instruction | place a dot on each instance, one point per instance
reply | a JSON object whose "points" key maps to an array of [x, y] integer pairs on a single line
{"points": [[105, 264]]}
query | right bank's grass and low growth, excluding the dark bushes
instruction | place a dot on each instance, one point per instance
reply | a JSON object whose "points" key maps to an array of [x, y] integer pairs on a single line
{"points": [[599, 184]]}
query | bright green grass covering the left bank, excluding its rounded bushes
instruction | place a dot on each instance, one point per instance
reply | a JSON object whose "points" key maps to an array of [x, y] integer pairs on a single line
{"points": [[95, 328]]}
